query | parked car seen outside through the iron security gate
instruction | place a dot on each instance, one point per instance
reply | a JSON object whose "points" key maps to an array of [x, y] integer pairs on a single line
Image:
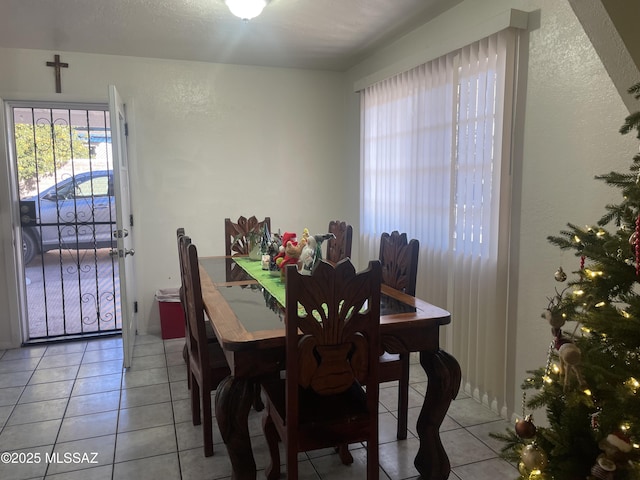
{"points": [[78, 212]]}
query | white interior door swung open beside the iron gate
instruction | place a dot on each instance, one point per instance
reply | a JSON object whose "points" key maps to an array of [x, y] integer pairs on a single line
{"points": [[124, 223]]}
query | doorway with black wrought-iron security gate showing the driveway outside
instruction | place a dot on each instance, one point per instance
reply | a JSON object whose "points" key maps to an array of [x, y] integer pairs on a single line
{"points": [[62, 159]]}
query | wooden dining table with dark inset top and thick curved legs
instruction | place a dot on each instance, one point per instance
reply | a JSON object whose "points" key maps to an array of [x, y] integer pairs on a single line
{"points": [[249, 324]]}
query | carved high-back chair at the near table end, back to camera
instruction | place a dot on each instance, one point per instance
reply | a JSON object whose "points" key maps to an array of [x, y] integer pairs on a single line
{"points": [[321, 402]]}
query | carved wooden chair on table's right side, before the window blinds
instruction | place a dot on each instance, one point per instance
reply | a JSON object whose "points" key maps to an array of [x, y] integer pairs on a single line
{"points": [[399, 260]]}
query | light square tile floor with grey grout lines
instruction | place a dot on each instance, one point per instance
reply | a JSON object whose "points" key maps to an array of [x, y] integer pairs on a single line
{"points": [[73, 403]]}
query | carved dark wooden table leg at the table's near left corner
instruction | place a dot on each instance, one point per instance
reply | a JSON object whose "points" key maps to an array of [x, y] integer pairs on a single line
{"points": [[234, 397]]}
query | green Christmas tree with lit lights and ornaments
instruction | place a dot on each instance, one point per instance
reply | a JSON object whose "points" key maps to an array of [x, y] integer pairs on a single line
{"points": [[590, 384]]}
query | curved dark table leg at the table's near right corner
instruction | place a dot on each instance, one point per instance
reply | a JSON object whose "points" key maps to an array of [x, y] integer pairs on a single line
{"points": [[444, 375]]}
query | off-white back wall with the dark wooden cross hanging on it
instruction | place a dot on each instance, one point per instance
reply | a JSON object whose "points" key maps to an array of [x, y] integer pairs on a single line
{"points": [[208, 141]]}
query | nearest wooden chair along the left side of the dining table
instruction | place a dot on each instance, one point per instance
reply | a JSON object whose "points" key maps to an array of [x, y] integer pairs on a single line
{"points": [[207, 363]]}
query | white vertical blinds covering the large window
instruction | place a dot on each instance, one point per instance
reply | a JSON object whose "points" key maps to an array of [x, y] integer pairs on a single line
{"points": [[435, 163]]}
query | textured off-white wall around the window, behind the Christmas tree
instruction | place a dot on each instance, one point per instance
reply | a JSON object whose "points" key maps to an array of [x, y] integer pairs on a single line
{"points": [[570, 113]]}
